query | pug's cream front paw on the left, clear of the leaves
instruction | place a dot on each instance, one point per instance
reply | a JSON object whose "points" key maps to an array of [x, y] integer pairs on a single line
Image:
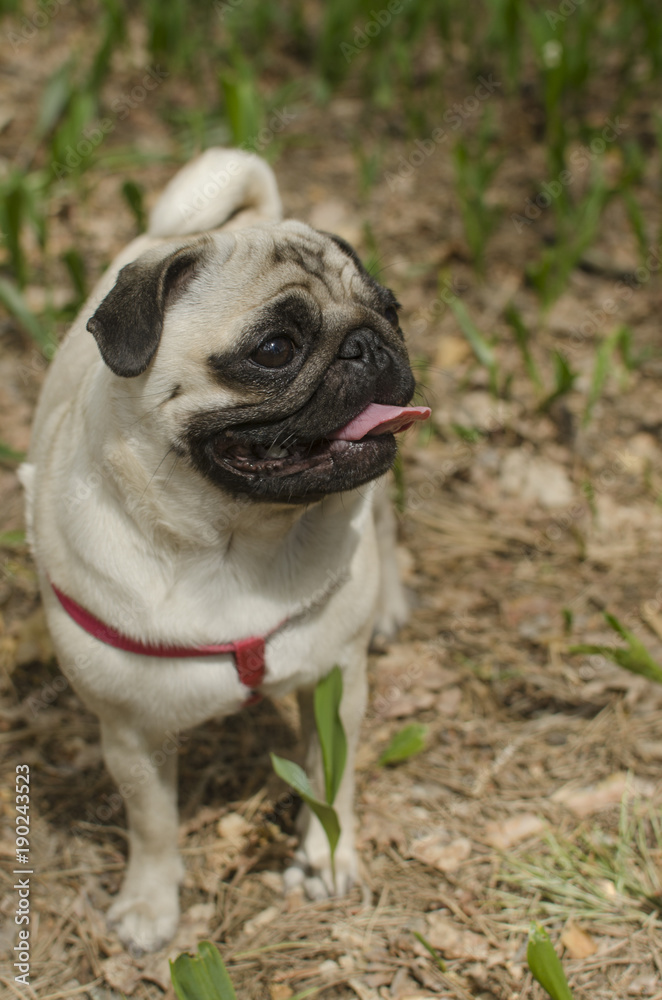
{"points": [[145, 922]]}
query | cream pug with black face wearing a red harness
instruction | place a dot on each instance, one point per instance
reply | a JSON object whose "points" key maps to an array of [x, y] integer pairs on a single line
{"points": [[205, 499]]}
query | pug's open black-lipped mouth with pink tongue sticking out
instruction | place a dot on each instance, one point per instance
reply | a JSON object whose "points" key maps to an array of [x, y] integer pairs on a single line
{"points": [[291, 458]]}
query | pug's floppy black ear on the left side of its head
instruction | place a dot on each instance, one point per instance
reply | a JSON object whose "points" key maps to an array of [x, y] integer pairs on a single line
{"points": [[127, 325]]}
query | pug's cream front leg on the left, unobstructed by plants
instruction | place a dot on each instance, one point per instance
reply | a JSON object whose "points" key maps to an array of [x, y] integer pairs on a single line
{"points": [[144, 765]]}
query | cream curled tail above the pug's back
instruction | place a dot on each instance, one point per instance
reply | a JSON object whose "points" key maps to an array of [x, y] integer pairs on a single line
{"points": [[212, 189]]}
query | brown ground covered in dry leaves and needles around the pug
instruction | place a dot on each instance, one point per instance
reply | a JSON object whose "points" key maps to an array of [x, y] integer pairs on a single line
{"points": [[538, 791]]}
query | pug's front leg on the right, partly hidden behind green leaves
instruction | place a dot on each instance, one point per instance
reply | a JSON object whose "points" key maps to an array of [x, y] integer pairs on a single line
{"points": [[313, 860]]}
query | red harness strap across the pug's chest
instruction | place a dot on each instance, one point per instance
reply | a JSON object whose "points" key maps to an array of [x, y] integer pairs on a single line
{"points": [[248, 653]]}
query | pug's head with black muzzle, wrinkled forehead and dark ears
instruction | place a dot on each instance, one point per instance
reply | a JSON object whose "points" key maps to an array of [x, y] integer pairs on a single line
{"points": [[259, 344]]}
